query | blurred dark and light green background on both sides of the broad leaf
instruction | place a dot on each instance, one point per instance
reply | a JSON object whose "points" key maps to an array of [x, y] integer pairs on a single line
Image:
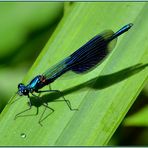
{"points": [[25, 27]]}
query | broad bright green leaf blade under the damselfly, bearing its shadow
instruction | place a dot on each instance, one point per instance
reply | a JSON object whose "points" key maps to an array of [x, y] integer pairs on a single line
{"points": [[102, 96]]}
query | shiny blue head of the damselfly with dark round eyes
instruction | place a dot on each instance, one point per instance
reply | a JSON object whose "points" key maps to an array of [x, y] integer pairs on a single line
{"points": [[22, 90]]}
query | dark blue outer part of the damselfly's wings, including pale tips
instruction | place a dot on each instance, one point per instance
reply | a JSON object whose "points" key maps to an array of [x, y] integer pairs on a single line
{"points": [[92, 53]]}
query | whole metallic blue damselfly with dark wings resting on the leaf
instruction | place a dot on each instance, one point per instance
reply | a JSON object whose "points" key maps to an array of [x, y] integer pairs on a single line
{"points": [[82, 60]]}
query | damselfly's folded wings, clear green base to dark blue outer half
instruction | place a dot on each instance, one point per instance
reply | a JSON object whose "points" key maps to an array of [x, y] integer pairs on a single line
{"points": [[85, 58]]}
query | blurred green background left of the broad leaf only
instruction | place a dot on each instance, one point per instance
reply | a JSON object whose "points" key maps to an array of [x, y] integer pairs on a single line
{"points": [[24, 30]]}
